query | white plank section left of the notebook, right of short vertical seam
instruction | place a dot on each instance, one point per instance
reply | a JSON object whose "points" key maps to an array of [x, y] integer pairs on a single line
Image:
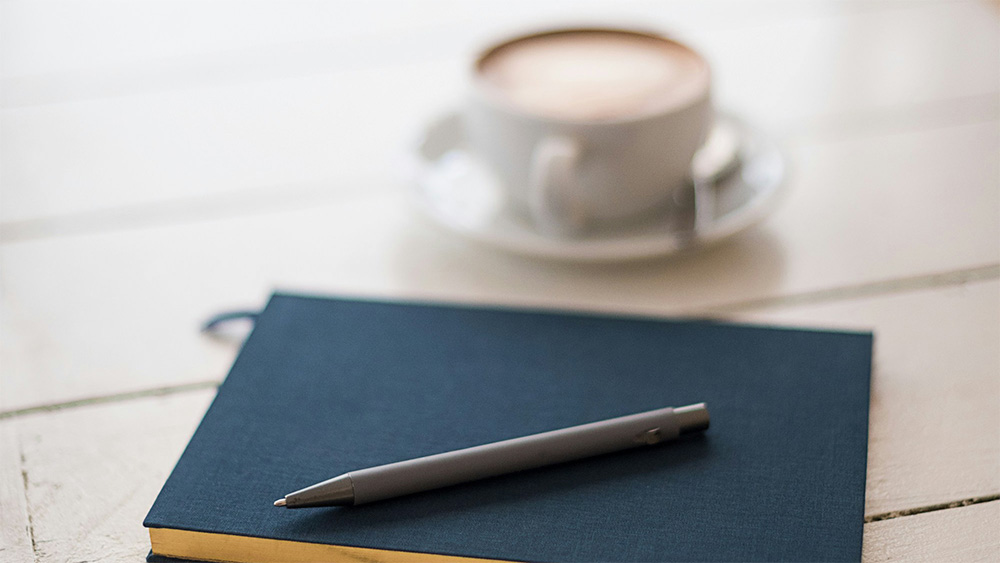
{"points": [[93, 472]]}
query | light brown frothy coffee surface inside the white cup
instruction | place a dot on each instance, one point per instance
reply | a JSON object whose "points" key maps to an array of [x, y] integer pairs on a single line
{"points": [[594, 74]]}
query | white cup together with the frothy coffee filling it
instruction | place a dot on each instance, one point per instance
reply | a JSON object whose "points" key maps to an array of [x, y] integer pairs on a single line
{"points": [[588, 127]]}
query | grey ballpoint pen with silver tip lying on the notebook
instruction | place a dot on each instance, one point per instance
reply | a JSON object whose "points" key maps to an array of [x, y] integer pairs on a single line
{"points": [[499, 458]]}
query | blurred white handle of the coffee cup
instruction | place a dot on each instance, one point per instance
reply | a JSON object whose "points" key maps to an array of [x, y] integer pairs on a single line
{"points": [[551, 184]]}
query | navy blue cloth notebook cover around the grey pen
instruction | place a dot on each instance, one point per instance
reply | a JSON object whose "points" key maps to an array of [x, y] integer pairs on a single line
{"points": [[324, 386]]}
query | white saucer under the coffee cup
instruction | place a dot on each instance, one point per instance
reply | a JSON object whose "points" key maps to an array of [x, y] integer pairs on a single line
{"points": [[739, 174]]}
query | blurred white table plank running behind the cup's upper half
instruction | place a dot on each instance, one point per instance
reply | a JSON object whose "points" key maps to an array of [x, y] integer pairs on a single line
{"points": [[338, 121]]}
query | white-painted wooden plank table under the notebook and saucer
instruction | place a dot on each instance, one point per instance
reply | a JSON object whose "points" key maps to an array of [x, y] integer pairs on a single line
{"points": [[163, 161]]}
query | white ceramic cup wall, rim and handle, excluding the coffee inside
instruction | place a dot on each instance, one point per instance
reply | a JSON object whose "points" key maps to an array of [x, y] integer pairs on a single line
{"points": [[571, 174]]}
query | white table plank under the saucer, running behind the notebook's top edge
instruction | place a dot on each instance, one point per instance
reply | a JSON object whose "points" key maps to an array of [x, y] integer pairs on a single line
{"points": [[844, 223]]}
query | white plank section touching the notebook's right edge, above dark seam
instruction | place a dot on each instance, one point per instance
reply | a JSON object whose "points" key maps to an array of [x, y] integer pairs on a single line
{"points": [[934, 427]]}
